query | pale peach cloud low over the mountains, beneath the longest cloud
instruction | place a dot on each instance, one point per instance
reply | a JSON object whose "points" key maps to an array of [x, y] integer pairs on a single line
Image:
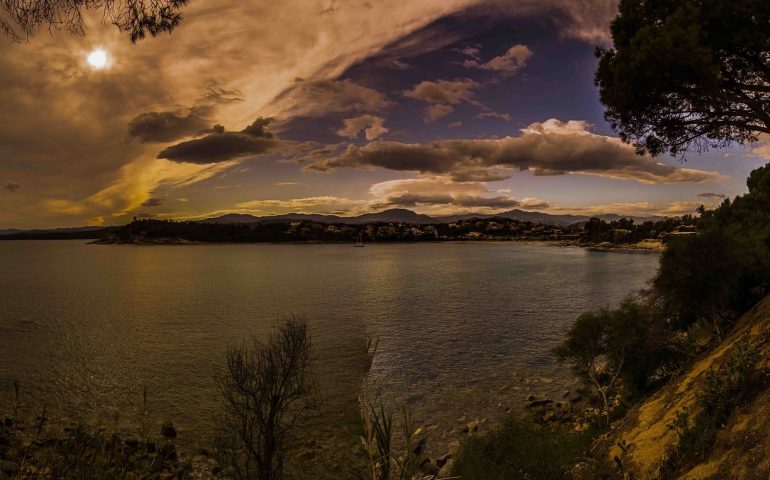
{"points": [[442, 195]]}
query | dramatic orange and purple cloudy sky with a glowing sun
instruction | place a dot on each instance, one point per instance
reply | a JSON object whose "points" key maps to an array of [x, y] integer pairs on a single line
{"points": [[332, 106]]}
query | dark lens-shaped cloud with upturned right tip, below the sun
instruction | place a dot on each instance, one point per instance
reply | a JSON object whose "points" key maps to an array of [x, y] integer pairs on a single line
{"points": [[222, 145]]}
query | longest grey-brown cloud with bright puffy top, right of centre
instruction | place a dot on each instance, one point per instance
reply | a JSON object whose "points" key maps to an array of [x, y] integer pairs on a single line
{"points": [[548, 148]]}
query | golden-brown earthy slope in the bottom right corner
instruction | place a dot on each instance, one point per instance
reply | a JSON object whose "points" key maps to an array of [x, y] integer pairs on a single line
{"points": [[742, 448]]}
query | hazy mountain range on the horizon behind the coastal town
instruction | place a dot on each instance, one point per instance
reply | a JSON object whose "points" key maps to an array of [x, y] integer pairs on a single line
{"points": [[402, 215]]}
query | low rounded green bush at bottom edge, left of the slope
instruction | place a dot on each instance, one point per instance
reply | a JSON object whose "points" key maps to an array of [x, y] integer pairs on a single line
{"points": [[519, 450]]}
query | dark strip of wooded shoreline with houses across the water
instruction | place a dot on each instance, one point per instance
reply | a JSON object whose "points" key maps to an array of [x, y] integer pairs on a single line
{"points": [[594, 233]]}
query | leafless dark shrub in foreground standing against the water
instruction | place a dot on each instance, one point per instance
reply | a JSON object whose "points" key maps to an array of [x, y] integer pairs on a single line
{"points": [[266, 389]]}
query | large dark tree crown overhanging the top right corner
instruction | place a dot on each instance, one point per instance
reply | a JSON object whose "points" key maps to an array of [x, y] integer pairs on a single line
{"points": [[687, 74]]}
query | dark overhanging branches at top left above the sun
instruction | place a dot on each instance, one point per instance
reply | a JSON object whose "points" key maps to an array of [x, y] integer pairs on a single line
{"points": [[20, 19]]}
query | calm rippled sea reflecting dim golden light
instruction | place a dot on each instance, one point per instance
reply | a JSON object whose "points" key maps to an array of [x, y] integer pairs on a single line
{"points": [[85, 328]]}
